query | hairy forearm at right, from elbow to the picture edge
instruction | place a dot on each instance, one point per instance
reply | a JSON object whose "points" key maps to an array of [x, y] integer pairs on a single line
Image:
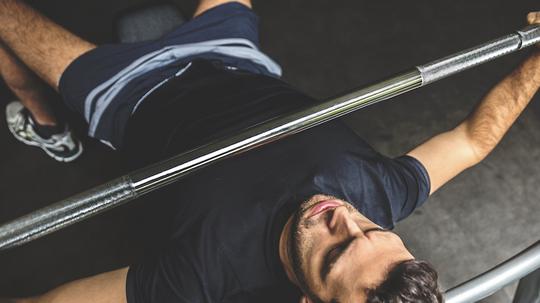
{"points": [[496, 113]]}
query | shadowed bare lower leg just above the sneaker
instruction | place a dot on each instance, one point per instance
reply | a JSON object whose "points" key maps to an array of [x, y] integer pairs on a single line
{"points": [[26, 86]]}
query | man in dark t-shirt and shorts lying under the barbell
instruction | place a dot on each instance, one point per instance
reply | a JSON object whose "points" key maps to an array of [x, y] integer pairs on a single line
{"points": [[306, 218]]}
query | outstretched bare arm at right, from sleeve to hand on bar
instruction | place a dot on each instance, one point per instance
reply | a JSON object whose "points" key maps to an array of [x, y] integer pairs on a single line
{"points": [[448, 154]]}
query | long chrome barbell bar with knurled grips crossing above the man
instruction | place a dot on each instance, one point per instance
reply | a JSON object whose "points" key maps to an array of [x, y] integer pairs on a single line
{"points": [[140, 182]]}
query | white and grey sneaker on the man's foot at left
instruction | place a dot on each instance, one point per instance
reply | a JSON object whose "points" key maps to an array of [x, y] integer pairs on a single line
{"points": [[63, 147]]}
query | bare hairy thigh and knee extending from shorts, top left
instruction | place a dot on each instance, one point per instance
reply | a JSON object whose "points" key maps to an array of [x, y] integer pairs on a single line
{"points": [[44, 46]]}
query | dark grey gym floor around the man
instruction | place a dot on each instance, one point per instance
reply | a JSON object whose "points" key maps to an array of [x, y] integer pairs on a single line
{"points": [[484, 216]]}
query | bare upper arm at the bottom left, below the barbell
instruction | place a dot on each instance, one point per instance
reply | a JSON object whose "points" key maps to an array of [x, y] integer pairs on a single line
{"points": [[108, 287]]}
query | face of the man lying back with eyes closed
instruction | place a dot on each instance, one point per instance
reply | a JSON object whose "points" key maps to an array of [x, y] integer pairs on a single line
{"points": [[334, 253]]}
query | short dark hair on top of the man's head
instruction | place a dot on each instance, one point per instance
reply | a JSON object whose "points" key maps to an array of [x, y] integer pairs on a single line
{"points": [[409, 281]]}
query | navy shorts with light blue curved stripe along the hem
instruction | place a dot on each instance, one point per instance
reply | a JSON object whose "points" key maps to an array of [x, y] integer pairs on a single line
{"points": [[107, 84]]}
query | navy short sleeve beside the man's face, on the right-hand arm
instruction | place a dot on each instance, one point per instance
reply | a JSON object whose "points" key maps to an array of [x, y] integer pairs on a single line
{"points": [[385, 190]]}
